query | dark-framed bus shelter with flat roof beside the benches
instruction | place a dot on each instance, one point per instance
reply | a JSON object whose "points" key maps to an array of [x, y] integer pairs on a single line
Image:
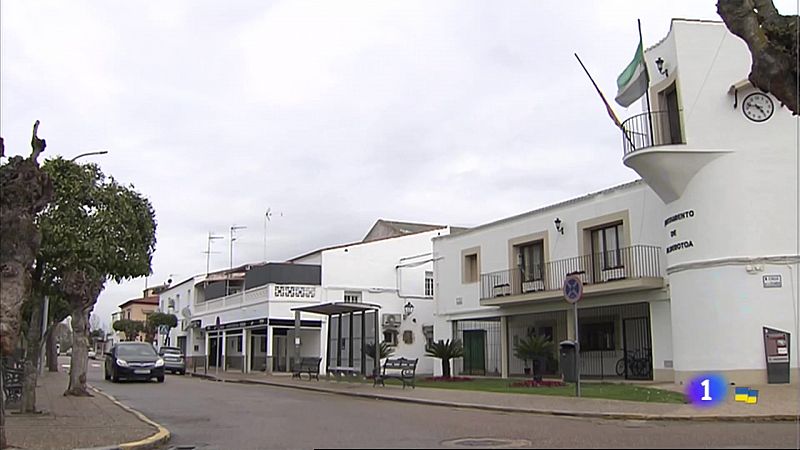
{"points": [[352, 327]]}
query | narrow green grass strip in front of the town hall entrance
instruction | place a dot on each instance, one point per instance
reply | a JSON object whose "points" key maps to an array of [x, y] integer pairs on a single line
{"points": [[611, 391]]}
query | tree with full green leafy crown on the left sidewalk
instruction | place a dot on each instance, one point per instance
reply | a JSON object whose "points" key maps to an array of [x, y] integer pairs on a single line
{"points": [[94, 230]]}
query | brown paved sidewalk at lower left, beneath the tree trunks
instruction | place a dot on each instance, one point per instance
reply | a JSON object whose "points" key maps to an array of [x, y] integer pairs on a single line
{"points": [[72, 422]]}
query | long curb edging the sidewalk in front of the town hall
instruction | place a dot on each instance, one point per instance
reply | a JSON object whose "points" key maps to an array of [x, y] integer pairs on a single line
{"points": [[494, 408]]}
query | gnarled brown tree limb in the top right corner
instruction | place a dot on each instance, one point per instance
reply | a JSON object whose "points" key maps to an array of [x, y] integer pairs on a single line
{"points": [[773, 43]]}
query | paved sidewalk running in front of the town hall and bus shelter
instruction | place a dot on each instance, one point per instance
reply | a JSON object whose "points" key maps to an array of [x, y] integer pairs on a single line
{"points": [[775, 402]]}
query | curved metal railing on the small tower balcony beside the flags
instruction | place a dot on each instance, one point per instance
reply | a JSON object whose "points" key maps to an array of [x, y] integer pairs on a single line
{"points": [[650, 129]]}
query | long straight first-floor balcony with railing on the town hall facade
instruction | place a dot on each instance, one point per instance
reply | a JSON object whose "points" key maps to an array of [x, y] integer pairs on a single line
{"points": [[626, 269]]}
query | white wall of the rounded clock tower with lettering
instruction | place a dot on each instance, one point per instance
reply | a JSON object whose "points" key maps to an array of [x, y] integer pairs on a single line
{"points": [[744, 205]]}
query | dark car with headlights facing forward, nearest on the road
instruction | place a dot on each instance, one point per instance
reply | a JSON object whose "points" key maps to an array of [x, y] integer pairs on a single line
{"points": [[133, 360]]}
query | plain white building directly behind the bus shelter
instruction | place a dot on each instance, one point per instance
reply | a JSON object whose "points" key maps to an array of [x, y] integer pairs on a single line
{"points": [[392, 267]]}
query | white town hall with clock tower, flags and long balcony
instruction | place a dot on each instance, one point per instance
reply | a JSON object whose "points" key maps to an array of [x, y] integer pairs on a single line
{"points": [[684, 269]]}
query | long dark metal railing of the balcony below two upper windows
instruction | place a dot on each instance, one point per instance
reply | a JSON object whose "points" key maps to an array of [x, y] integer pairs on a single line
{"points": [[635, 262]]}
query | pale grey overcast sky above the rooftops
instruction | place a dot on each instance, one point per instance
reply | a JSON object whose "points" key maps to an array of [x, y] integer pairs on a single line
{"points": [[332, 113]]}
